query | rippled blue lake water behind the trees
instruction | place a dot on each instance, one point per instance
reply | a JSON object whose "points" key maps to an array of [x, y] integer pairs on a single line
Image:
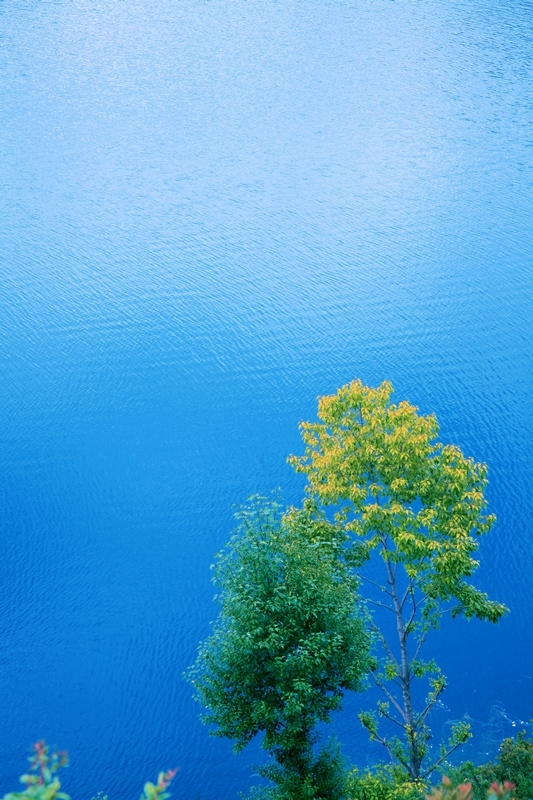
{"points": [[212, 212]]}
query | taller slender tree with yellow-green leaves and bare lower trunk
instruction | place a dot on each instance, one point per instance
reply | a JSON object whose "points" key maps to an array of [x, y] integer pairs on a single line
{"points": [[414, 509]]}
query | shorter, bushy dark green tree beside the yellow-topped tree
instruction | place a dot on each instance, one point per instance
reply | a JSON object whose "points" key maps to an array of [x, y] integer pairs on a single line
{"points": [[287, 643]]}
